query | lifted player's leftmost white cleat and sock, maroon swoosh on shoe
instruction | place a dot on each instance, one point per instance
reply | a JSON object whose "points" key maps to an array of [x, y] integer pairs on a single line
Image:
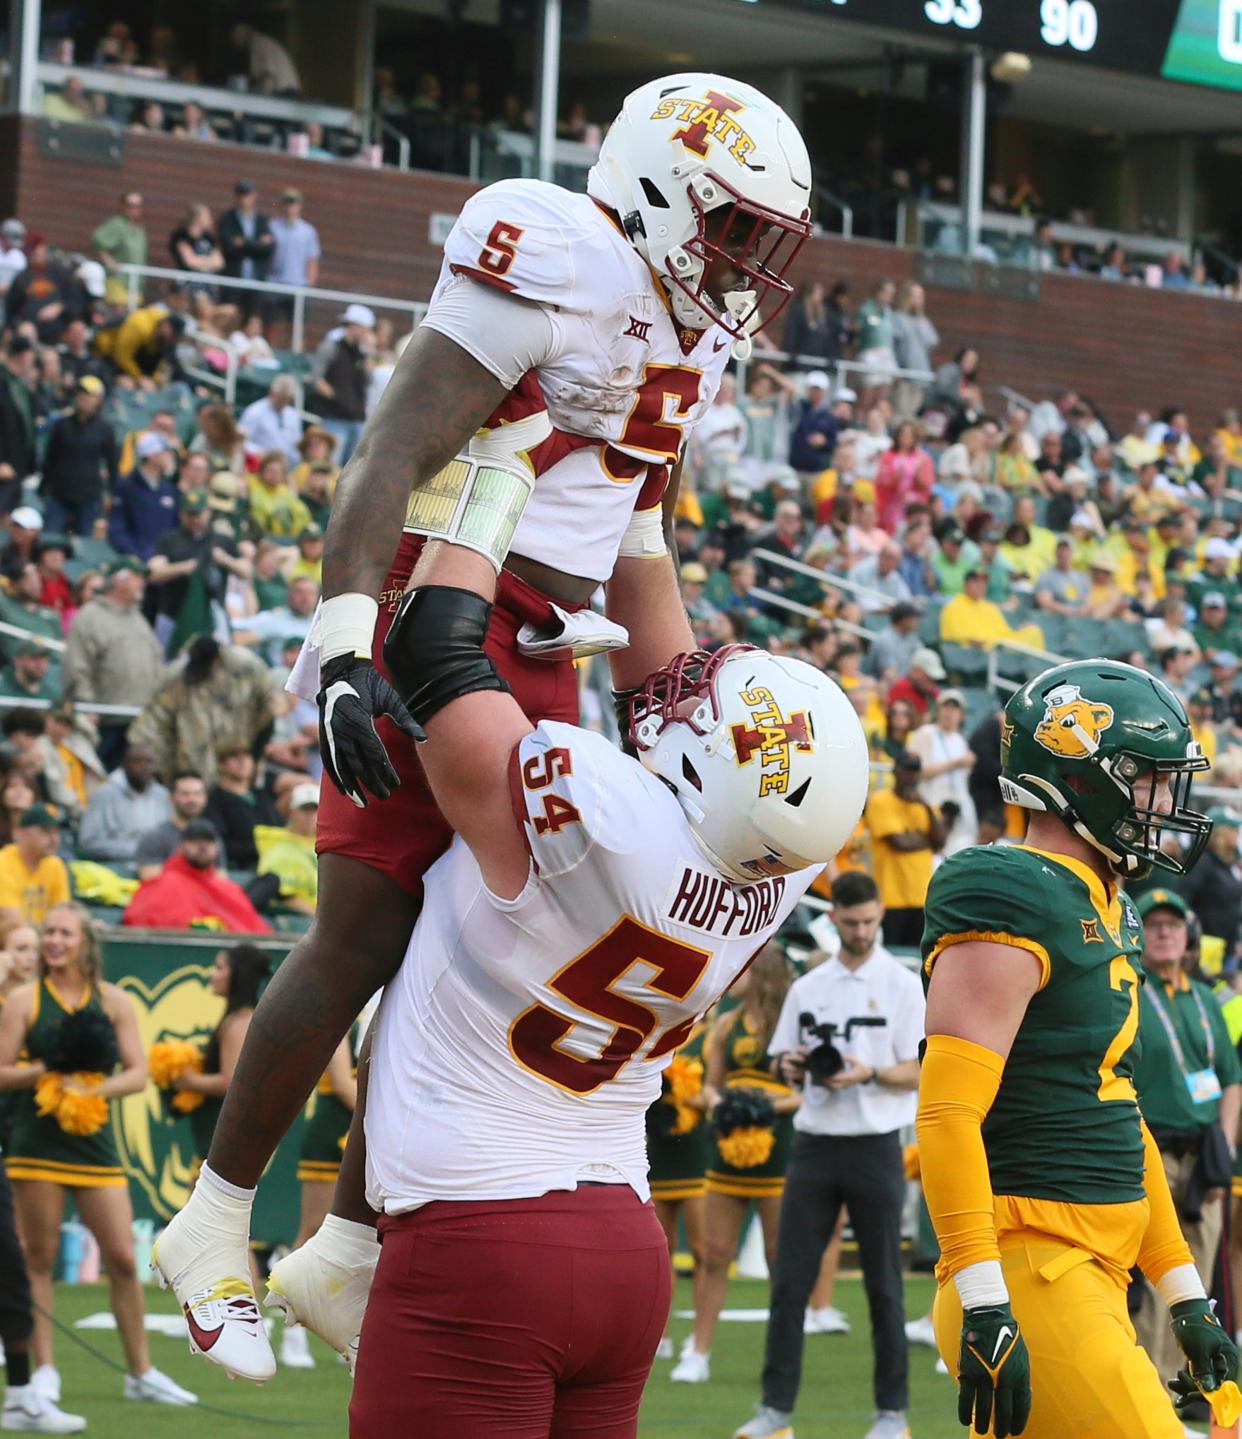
{"points": [[204, 1258]]}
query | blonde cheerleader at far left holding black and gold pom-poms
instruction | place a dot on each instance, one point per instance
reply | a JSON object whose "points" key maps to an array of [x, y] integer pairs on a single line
{"points": [[63, 1136]]}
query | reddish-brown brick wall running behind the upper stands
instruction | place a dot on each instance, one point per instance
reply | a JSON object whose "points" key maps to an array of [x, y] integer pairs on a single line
{"points": [[1123, 346]]}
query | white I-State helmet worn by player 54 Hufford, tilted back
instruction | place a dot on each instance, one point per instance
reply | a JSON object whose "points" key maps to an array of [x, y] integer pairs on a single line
{"points": [[765, 753]]}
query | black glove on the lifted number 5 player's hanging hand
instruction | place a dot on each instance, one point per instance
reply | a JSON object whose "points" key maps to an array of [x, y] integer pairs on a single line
{"points": [[353, 694]]}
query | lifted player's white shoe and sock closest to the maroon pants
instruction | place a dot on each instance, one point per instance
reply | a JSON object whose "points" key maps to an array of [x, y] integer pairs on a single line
{"points": [[325, 1286]]}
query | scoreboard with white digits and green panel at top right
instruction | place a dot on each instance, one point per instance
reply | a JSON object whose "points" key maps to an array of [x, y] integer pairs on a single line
{"points": [[1194, 41]]}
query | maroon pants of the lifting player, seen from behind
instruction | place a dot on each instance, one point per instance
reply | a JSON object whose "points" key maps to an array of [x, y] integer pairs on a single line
{"points": [[529, 1319]]}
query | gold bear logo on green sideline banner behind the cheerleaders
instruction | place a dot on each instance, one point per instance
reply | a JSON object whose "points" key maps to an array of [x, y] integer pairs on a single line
{"points": [[155, 1149]]}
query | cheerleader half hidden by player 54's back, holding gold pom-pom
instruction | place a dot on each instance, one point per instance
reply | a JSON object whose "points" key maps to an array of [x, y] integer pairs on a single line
{"points": [[679, 1143]]}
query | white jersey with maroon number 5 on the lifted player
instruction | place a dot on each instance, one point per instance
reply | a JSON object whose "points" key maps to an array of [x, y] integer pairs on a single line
{"points": [[620, 385]]}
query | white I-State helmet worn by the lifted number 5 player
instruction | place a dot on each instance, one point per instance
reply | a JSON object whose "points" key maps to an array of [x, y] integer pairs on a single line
{"points": [[700, 169]]}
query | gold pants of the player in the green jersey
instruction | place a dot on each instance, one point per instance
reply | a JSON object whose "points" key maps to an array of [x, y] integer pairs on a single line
{"points": [[1090, 1381]]}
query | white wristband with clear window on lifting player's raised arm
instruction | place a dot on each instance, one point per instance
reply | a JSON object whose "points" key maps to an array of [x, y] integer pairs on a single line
{"points": [[479, 499]]}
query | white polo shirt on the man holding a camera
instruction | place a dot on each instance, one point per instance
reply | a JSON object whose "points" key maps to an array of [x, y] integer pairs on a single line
{"points": [[879, 1015]]}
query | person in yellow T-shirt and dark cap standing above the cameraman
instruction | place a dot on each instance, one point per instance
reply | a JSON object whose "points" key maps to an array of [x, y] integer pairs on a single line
{"points": [[906, 835]]}
